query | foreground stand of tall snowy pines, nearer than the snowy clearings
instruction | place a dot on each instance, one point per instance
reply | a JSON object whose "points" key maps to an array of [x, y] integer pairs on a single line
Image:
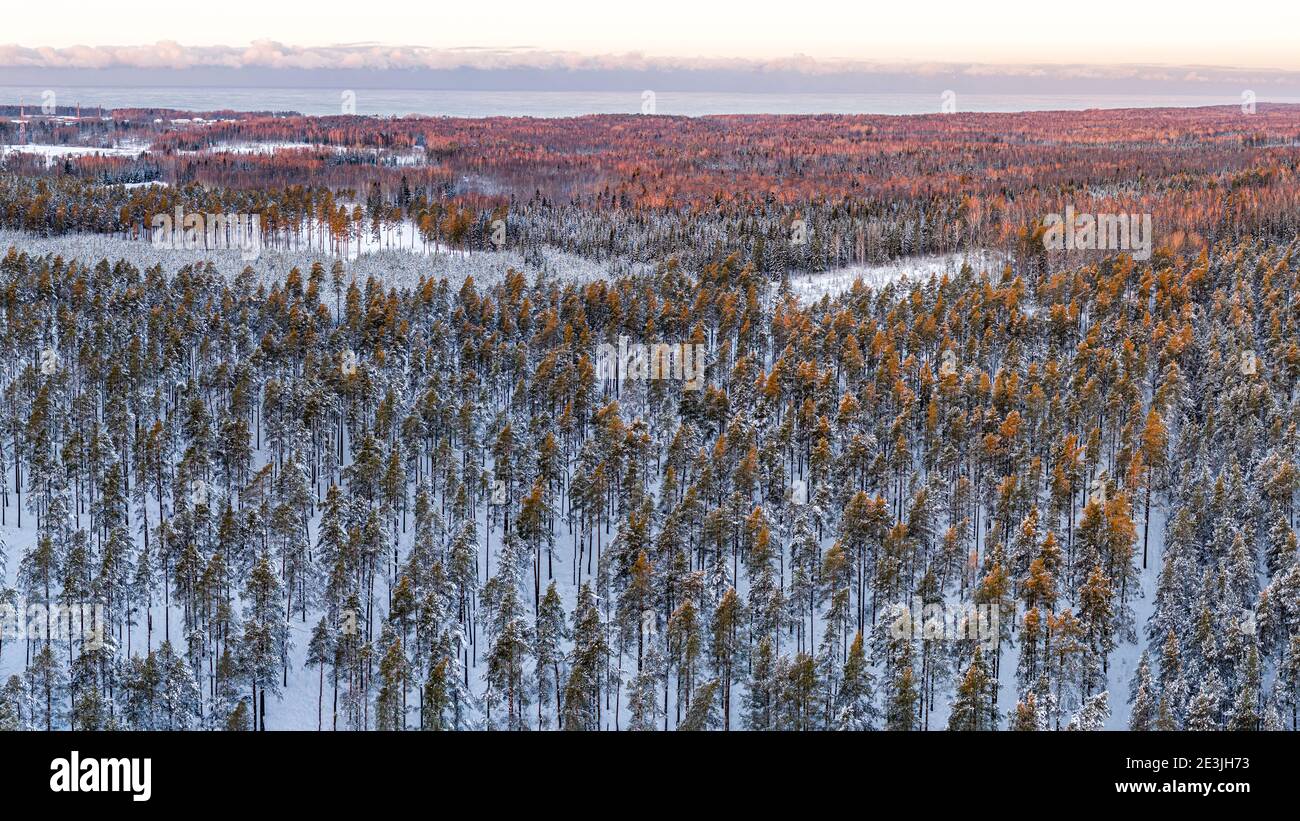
{"points": [[978, 501]]}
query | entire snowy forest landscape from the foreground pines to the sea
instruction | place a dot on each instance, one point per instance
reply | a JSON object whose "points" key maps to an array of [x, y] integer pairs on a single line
{"points": [[426, 459]]}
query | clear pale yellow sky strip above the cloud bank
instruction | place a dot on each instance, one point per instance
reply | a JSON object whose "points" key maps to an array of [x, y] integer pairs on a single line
{"points": [[1245, 34]]}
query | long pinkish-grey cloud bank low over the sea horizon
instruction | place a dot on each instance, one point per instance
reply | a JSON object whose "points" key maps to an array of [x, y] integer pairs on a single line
{"points": [[268, 62]]}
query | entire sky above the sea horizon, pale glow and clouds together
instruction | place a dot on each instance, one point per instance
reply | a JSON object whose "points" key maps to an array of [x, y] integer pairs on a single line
{"points": [[822, 45]]}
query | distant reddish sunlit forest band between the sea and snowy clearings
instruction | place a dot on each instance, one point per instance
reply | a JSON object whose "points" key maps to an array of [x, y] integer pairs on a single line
{"points": [[853, 189]]}
